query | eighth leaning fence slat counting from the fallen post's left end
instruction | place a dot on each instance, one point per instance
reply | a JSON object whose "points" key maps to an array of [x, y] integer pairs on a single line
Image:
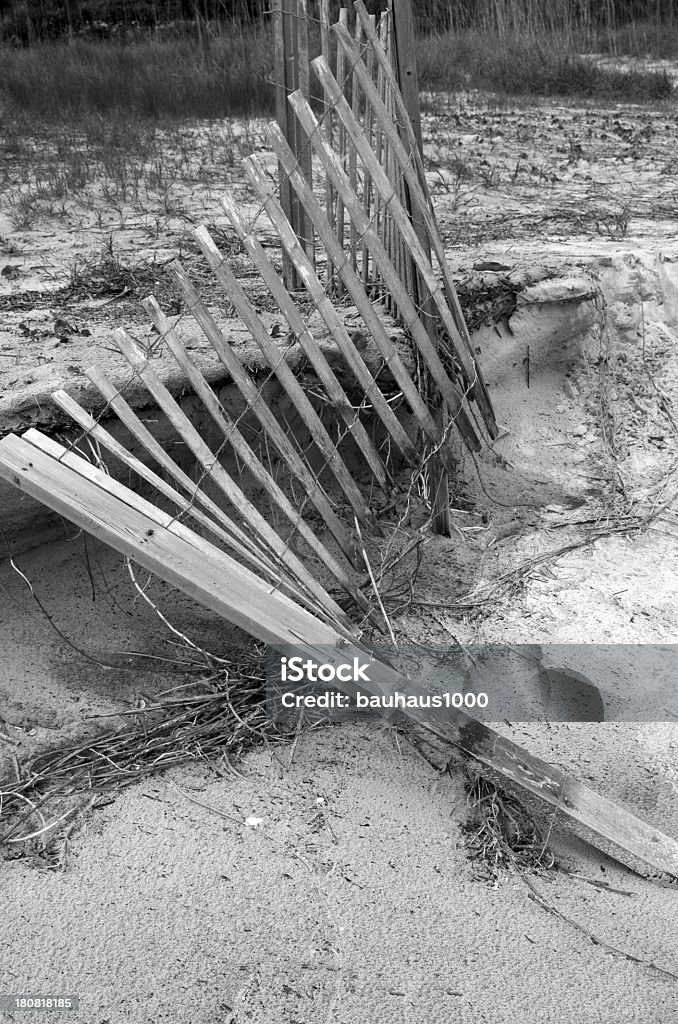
{"points": [[354, 359]]}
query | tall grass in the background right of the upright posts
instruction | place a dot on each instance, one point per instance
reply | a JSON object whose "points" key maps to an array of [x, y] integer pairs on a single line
{"points": [[540, 47]]}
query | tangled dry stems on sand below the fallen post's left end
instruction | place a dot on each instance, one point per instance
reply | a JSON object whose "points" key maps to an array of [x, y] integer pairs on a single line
{"points": [[220, 717]]}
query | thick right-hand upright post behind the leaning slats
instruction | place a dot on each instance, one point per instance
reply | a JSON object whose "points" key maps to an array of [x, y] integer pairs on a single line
{"points": [[406, 63]]}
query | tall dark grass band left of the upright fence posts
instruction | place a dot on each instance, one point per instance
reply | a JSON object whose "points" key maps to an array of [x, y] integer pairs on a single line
{"points": [[175, 78]]}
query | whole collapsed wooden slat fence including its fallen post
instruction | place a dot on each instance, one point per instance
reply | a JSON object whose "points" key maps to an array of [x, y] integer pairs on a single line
{"points": [[232, 559]]}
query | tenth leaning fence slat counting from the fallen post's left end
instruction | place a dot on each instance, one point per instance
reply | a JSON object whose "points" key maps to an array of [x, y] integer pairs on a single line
{"points": [[447, 388]]}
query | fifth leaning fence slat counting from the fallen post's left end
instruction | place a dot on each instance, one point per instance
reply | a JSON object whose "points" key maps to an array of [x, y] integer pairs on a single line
{"points": [[258, 405]]}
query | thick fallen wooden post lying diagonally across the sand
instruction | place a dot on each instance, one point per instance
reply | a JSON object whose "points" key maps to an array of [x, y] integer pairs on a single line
{"points": [[113, 514]]}
